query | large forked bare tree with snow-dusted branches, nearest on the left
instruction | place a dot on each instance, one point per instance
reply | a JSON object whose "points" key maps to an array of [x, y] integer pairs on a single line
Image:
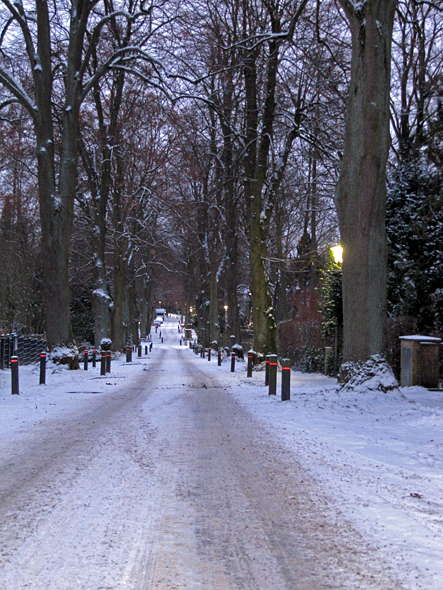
{"points": [[50, 79]]}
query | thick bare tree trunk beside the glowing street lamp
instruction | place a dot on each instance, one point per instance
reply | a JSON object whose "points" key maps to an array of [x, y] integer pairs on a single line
{"points": [[361, 190]]}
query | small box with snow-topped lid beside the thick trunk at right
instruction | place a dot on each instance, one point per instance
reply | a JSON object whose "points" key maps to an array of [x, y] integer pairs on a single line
{"points": [[419, 361]]}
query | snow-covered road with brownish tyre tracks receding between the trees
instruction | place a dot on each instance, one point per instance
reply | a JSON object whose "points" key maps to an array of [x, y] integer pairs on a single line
{"points": [[163, 480]]}
